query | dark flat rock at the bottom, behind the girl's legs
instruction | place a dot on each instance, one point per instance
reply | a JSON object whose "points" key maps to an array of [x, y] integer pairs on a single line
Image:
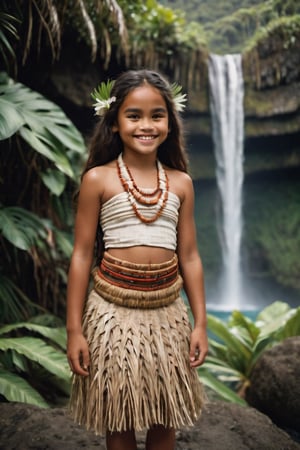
{"points": [[223, 426]]}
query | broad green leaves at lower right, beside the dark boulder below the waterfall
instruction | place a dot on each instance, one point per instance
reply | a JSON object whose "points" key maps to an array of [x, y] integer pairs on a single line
{"points": [[236, 345]]}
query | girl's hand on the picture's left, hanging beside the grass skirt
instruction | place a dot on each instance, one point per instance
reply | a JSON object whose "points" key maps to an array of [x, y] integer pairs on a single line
{"points": [[78, 353]]}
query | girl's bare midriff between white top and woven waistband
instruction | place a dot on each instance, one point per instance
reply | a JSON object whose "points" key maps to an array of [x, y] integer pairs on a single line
{"points": [[142, 254]]}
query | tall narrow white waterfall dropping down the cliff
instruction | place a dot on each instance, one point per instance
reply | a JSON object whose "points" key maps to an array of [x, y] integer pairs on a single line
{"points": [[226, 104]]}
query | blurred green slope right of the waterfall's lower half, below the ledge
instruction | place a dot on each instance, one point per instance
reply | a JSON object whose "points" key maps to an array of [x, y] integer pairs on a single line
{"points": [[272, 229]]}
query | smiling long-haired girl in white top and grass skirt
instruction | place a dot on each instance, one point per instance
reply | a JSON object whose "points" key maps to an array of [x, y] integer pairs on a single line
{"points": [[130, 345]]}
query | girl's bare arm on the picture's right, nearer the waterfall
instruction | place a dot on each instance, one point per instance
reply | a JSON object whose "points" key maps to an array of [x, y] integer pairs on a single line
{"points": [[192, 273]]}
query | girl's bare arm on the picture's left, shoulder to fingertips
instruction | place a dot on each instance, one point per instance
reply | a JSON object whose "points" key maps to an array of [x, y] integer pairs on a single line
{"points": [[79, 272]]}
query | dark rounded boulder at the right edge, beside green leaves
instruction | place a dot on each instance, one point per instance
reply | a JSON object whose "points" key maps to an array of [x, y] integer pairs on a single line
{"points": [[275, 383]]}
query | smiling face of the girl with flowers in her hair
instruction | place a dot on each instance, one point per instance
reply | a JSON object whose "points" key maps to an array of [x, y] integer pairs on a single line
{"points": [[143, 120]]}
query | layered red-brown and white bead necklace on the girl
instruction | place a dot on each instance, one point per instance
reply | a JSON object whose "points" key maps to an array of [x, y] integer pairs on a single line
{"points": [[136, 195]]}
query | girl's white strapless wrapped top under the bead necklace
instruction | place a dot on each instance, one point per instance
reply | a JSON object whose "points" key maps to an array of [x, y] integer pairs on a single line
{"points": [[122, 228]]}
